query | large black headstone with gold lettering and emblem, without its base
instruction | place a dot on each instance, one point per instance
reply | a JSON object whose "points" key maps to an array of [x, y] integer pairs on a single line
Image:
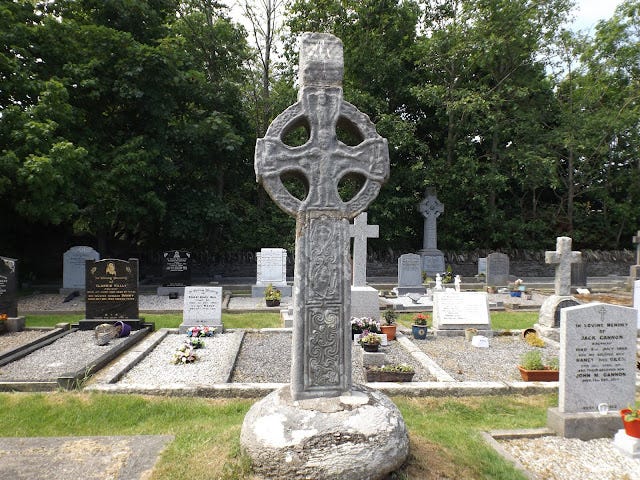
{"points": [[112, 289]]}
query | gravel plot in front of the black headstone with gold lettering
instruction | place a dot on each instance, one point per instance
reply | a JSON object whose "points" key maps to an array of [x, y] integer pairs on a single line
{"points": [[66, 355]]}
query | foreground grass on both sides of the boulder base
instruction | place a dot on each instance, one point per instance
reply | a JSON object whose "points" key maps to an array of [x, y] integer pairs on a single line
{"points": [[444, 432]]}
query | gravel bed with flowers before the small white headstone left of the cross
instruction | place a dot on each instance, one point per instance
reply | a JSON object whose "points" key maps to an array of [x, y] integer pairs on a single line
{"points": [[211, 366]]}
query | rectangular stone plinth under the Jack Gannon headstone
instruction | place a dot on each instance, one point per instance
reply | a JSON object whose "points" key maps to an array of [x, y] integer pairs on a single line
{"points": [[585, 426]]}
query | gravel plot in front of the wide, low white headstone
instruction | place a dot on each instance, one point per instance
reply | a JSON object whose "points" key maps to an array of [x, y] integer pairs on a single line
{"points": [[465, 362]]}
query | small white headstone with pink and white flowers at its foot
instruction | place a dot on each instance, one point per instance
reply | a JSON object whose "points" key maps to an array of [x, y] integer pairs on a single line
{"points": [[202, 307]]}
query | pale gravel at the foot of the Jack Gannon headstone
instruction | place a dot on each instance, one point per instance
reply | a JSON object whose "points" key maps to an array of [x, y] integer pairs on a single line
{"points": [[555, 458]]}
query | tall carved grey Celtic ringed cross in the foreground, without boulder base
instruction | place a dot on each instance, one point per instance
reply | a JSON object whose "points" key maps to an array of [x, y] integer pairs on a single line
{"points": [[321, 358]]}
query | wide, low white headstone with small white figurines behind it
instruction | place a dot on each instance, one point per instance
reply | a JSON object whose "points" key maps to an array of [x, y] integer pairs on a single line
{"points": [[454, 311]]}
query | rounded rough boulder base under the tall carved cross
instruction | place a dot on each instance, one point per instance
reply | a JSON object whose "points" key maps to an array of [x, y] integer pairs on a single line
{"points": [[361, 436]]}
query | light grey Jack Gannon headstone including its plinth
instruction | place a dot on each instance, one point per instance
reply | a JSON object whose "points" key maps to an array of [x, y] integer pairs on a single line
{"points": [[597, 366]]}
